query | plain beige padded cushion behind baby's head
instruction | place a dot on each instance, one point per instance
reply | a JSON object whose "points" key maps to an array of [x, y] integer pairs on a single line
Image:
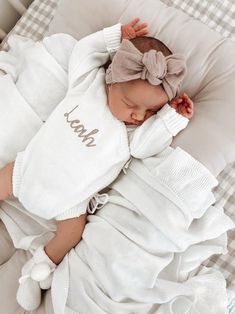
{"points": [[210, 81]]}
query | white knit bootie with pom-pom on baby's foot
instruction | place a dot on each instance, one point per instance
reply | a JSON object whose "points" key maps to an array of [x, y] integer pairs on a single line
{"points": [[36, 275]]}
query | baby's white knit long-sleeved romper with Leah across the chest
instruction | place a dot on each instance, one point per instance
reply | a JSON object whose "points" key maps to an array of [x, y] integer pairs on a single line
{"points": [[82, 147]]}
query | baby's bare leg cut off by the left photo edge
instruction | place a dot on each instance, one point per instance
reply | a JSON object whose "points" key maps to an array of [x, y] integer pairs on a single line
{"points": [[6, 181]]}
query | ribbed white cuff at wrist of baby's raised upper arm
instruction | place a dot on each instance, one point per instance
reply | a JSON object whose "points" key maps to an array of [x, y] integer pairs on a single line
{"points": [[112, 37]]}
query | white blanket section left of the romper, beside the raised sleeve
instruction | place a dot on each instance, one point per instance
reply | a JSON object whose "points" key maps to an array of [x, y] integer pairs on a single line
{"points": [[34, 84]]}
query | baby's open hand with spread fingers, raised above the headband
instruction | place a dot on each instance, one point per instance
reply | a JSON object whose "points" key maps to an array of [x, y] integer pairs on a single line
{"points": [[132, 30]]}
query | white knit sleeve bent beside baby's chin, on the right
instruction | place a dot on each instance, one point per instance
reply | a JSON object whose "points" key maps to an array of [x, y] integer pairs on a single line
{"points": [[157, 132]]}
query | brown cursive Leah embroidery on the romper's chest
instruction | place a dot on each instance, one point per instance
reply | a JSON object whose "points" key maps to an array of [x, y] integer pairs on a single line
{"points": [[80, 129]]}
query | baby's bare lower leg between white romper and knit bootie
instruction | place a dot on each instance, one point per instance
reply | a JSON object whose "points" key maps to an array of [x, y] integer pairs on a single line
{"points": [[68, 234]]}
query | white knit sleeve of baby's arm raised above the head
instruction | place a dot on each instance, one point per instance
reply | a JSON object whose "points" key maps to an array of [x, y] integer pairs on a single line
{"points": [[92, 52]]}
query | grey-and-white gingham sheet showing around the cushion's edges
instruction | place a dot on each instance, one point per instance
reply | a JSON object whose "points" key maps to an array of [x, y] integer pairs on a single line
{"points": [[220, 16]]}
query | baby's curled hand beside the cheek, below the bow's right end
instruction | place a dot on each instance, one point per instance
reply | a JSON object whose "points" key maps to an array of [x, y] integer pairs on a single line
{"points": [[183, 105]]}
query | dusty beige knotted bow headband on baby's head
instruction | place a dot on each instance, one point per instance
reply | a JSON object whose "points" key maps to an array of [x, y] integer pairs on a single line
{"points": [[130, 64]]}
